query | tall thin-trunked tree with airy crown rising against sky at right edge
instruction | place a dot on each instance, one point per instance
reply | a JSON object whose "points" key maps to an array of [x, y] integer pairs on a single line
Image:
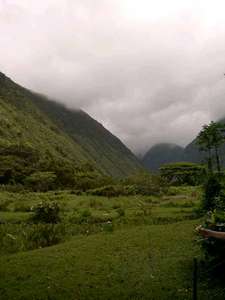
{"points": [[210, 138]]}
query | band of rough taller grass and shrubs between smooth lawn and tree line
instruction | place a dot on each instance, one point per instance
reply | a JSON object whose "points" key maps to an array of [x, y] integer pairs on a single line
{"points": [[23, 228]]}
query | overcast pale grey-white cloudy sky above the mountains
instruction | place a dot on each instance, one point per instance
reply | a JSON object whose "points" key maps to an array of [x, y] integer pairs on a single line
{"points": [[149, 70]]}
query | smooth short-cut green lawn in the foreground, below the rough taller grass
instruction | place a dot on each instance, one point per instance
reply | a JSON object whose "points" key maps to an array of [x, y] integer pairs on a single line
{"points": [[146, 262]]}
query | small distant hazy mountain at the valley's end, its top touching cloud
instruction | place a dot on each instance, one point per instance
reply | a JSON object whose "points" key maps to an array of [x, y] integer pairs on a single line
{"points": [[161, 154]]}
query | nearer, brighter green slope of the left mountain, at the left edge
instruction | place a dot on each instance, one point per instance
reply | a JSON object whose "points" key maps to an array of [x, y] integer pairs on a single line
{"points": [[20, 126]]}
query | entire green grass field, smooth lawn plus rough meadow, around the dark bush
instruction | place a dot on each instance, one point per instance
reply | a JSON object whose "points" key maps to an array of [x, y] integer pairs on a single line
{"points": [[123, 248]]}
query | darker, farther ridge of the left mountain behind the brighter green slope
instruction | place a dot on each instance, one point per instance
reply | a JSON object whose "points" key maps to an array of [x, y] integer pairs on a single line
{"points": [[106, 149]]}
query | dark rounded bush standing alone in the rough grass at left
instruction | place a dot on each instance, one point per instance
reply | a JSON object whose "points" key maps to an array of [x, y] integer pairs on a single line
{"points": [[46, 212]]}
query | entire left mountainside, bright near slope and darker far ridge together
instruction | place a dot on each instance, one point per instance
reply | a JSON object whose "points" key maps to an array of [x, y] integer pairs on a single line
{"points": [[31, 121]]}
